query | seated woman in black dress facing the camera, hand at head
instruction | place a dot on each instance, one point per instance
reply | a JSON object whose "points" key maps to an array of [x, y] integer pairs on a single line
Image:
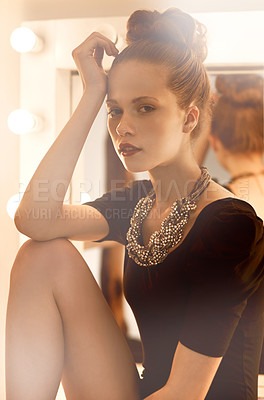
{"points": [[194, 252]]}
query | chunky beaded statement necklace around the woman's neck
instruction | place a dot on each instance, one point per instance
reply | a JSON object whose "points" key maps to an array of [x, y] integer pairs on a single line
{"points": [[171, 231]]}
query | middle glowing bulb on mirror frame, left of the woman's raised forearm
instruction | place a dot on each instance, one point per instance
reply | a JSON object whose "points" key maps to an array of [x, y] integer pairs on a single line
{"points": [[22, 121]]}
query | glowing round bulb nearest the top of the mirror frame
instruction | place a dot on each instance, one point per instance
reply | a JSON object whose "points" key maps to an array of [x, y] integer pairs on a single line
{"points": [[25, 40]]}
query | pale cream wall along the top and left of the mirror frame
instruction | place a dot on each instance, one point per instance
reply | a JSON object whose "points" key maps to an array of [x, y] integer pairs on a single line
{"points": [[12, 12]]}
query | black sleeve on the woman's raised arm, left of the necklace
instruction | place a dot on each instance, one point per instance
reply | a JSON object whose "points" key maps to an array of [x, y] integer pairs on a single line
{"points": [[117, 206]]}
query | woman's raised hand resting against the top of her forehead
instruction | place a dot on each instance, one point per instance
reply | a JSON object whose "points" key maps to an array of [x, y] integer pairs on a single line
{"points": [[88, 58]]}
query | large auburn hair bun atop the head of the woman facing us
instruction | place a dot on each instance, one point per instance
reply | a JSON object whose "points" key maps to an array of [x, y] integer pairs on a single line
{"points": [[171, 26]]}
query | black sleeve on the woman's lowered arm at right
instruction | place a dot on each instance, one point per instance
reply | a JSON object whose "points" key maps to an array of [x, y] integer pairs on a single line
{"points": [[225, 267]]}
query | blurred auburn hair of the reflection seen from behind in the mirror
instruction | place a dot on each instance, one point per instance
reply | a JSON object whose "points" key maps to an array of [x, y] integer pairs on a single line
{"points": [[238, 113]]}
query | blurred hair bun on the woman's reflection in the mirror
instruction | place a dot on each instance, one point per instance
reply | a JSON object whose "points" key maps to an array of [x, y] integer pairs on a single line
{"points": [[244, 89]]}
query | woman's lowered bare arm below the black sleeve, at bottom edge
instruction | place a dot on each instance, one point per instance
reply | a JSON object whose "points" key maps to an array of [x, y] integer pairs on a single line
{"points": [[190, 378]]}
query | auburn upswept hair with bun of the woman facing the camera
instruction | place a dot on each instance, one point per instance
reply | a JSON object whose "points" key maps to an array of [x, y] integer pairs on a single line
{"points": [[177, 41]]}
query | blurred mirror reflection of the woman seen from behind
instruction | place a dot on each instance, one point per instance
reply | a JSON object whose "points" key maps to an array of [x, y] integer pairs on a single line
{"points": [[237, 135]]}
